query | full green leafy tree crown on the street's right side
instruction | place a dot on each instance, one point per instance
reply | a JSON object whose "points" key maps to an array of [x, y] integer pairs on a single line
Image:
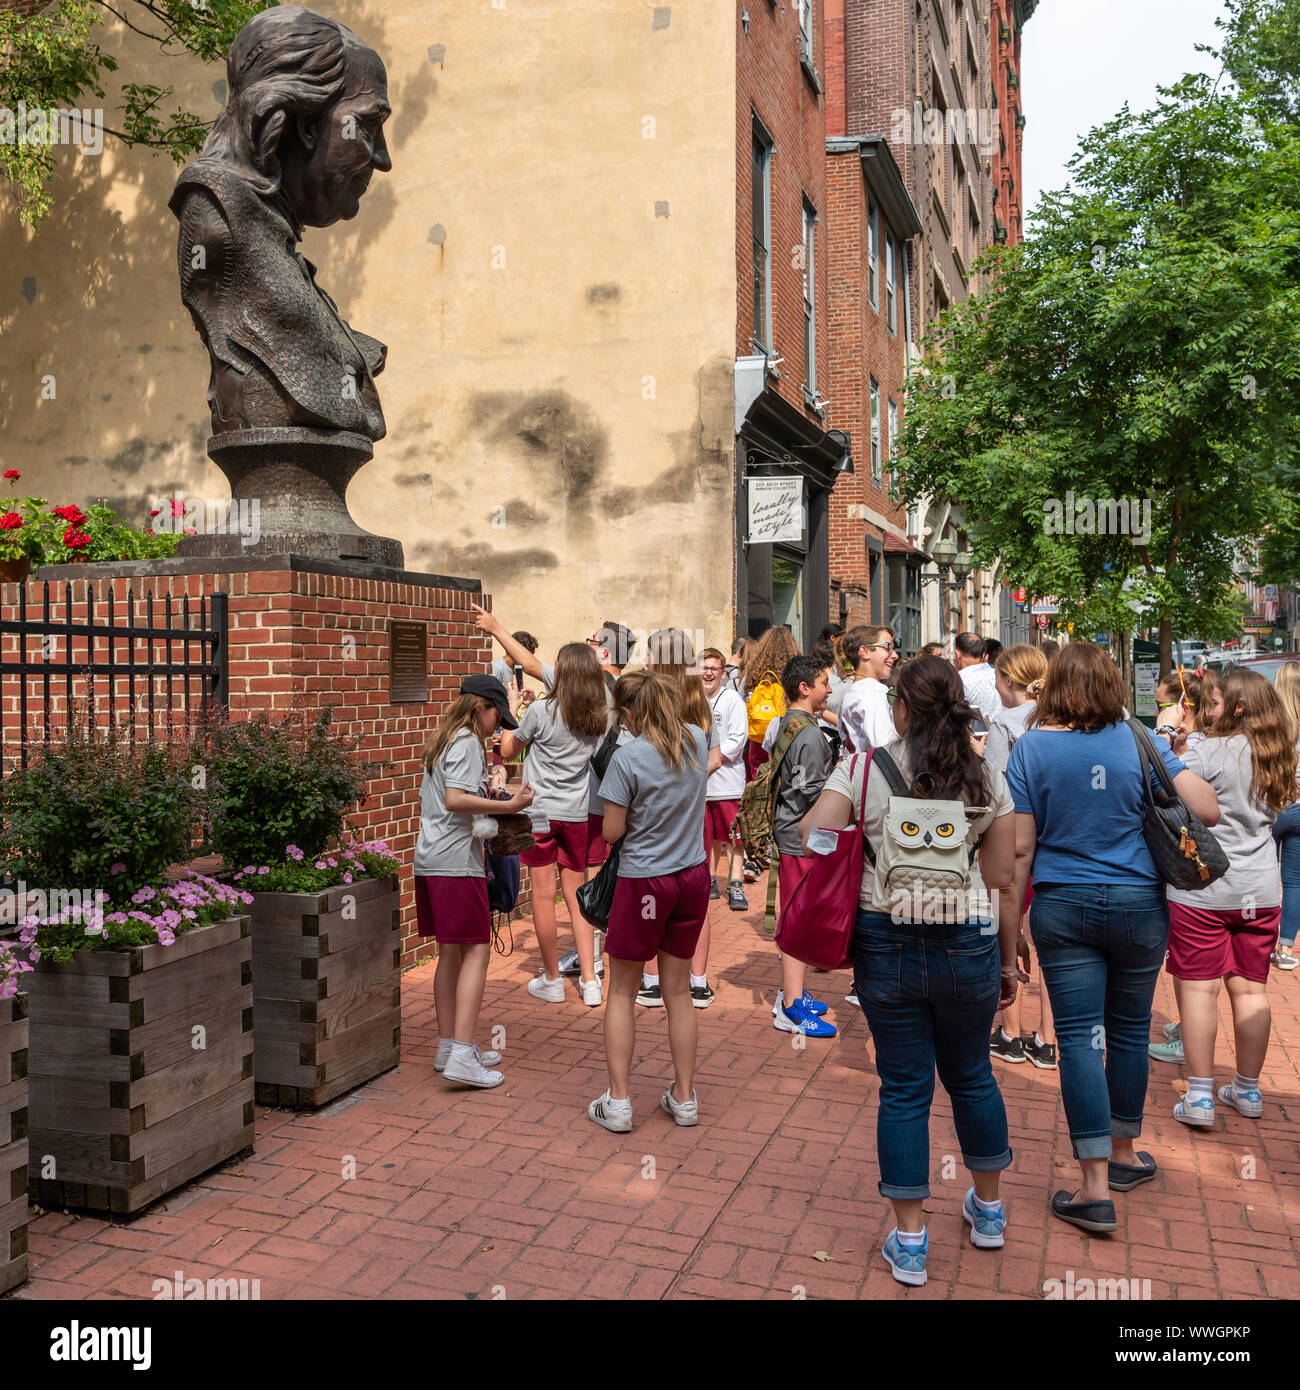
{"points": [[1142, 344]]}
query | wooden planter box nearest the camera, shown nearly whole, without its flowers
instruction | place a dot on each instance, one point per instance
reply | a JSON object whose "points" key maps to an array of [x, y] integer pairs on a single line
{"points": [[124, 1106]]}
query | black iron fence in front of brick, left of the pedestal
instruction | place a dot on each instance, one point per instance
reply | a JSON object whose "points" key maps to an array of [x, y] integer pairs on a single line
{"points": [[130, 658]]}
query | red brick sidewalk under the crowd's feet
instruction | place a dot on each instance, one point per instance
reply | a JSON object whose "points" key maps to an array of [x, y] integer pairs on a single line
{"points": [[515, 1193]]}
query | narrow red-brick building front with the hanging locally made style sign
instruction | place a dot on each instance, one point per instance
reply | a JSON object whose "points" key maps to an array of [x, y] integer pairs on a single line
{"points": [[788, 455]]}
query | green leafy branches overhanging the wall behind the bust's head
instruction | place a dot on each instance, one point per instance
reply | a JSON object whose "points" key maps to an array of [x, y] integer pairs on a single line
{"points": [[55, 60]]}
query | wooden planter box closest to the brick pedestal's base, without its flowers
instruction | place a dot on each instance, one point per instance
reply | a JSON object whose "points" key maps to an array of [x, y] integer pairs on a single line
{"points": [[327, 990]]}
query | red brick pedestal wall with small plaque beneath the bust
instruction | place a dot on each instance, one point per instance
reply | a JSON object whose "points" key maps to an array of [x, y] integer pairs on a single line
{"points": [[309, 630]]}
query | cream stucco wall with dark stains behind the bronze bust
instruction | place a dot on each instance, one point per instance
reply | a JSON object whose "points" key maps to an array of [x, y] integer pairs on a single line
{"points": [[560, 391]]}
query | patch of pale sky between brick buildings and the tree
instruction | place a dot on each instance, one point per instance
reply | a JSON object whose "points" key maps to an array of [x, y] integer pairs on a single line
{"points": [[1084, 59]]}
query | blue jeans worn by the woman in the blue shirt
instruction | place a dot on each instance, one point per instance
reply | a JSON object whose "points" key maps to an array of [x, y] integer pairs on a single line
{"points": [[1100, 949]]}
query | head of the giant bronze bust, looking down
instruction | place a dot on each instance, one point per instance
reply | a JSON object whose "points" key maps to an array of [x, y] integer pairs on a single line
{"points": [[305, 113]]}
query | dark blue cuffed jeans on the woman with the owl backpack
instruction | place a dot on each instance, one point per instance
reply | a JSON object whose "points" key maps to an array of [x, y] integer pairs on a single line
{"points": [[929, 995]]}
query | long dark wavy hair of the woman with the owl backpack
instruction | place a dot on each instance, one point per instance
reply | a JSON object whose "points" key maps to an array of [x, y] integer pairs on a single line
{"points": [[939, 732]]}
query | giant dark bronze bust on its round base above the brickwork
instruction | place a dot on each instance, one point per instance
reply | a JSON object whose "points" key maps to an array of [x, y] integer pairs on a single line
{"points": [[293, 394]]}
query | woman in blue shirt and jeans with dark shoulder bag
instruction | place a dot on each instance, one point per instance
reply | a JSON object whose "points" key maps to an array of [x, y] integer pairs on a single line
{"points": [[1099, 918]]}
